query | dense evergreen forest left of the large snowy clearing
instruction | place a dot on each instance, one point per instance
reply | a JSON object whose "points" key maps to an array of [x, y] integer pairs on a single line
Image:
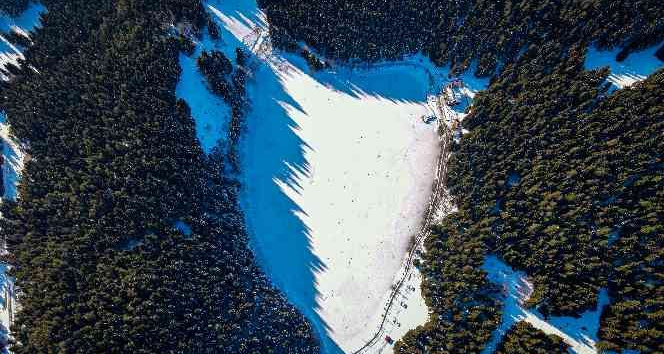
{"points": [[114, 166]]}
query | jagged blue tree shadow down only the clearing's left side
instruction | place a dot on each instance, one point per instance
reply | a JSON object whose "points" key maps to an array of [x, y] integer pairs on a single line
{"points": [[272, 157]]}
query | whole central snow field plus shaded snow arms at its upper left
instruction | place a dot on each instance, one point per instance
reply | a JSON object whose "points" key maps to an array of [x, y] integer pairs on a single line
{"points": [[337, 170]]}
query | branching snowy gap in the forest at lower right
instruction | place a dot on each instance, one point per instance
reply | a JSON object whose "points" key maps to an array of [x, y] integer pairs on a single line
{"points": [[580, 333]]}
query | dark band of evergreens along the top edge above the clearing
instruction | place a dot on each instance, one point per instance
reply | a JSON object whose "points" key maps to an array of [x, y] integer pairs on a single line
{"points": [[484, 32]]}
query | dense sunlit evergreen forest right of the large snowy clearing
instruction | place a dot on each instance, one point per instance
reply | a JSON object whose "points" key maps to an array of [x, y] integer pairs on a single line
{"points": [[564, 181]]}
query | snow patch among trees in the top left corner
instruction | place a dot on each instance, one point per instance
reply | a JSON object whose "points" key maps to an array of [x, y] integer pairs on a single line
{"points": [[22, 24]]}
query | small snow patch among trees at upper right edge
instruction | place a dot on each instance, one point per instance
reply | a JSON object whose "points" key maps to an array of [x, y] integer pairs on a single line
{"points": [[635, 68]]}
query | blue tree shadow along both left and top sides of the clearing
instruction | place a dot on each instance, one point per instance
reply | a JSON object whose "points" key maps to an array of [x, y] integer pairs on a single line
{"points": [[273, 154]]}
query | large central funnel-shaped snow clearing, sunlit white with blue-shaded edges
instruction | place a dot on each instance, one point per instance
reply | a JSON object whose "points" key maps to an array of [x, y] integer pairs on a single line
{"points": [[347, 175]]}
